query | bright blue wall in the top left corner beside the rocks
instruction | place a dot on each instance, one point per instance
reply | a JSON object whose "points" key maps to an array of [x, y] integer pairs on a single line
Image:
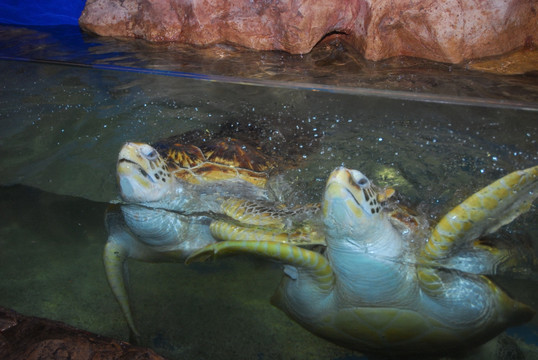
{"points": [[41, 12]]}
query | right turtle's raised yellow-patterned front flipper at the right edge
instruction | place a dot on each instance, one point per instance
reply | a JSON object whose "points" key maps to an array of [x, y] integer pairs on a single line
{"points": [[483, 212]]}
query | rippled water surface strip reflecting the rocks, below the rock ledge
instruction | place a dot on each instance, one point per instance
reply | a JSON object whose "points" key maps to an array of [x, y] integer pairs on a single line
{"points": [[332, 64]]}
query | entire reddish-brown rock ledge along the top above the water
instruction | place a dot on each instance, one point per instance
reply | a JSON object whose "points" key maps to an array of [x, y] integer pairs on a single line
{"points": [[448, 31]]}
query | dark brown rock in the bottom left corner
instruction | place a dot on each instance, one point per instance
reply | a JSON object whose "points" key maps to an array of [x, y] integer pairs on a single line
{"points": [[29, 338]]}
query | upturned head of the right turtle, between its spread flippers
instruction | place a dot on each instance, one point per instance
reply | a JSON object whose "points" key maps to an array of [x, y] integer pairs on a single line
{"points": [[350, 206]]}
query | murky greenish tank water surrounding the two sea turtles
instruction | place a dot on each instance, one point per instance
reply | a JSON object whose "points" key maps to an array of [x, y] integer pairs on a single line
{"points": [[65, 117]]}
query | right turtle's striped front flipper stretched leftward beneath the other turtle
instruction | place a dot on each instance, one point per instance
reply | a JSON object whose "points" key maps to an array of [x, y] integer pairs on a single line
{"points": [[304, 259]]}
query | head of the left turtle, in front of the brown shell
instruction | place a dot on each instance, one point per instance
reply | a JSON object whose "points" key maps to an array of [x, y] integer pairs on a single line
{"points": [[143, 175]]}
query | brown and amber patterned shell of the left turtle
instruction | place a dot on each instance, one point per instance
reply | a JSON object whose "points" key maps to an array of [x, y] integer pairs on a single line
{"points": [[215, 160]]}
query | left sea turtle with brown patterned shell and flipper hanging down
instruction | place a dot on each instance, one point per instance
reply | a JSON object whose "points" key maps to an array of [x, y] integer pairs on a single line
{"points": [[170, 194]]}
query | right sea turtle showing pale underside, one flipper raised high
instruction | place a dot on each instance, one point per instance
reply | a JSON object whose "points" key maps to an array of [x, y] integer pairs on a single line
{"points": [[382, 291]]}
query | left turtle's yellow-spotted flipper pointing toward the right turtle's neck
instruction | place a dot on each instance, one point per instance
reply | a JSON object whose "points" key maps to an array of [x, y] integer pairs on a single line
{"points": [[259, 221]]}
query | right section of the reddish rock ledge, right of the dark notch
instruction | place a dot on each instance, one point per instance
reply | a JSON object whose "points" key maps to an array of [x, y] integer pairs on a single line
{"points": [[450, 30]]}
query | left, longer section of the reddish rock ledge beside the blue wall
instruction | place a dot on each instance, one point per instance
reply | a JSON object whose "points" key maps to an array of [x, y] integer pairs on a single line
{"points": [[293, 26]]}
